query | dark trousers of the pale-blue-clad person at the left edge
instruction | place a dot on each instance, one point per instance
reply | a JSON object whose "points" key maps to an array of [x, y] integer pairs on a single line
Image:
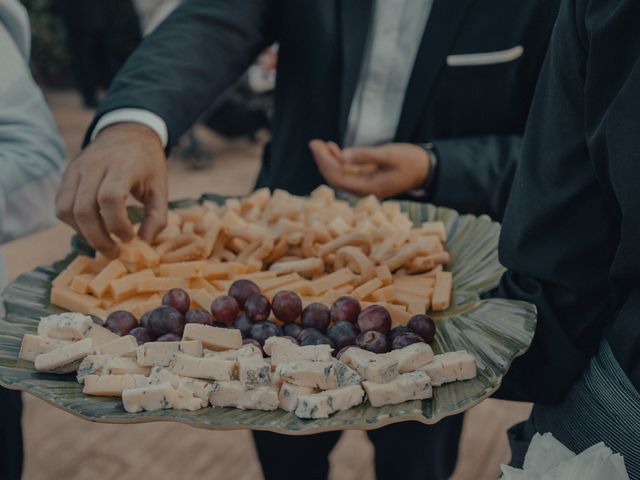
{"points": [[11, 451]]}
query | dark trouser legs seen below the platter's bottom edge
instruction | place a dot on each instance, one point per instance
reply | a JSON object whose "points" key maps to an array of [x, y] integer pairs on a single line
{"points": [[407, 451]]}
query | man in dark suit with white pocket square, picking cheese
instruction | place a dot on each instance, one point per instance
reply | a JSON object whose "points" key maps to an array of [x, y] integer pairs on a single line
{"points": [[449, 81]]}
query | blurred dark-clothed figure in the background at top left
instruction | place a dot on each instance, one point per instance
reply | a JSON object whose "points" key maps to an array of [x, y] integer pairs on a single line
{"points": [[90, 29]]}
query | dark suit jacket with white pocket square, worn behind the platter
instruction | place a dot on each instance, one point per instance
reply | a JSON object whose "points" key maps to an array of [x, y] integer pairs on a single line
{"points": [[473, 114]]}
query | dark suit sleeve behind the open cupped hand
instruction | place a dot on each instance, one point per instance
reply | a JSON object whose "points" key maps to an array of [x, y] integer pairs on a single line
{"points": [[474, 174]]}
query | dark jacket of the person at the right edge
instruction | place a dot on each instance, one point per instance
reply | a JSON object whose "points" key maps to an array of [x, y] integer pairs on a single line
{"points": [[571, 232]]}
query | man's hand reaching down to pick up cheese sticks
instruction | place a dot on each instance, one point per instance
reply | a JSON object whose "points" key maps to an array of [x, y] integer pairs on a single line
{"points": [[124, 159]]}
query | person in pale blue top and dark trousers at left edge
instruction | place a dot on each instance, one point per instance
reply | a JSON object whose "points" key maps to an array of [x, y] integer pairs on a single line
{"points": [[31, 158]]}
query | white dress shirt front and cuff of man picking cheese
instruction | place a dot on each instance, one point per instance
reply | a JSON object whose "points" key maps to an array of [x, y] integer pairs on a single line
{"points": [[394, 38]]}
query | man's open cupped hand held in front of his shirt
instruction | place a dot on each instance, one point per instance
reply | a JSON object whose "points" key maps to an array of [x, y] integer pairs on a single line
{"points": [[384, 171]]}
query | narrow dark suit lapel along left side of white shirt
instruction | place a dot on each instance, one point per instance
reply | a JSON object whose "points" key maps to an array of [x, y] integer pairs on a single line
{"points": [[355, 20]]}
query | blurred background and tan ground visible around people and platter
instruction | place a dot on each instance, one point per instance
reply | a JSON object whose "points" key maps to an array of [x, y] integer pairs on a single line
{"points": [[78, 45]]}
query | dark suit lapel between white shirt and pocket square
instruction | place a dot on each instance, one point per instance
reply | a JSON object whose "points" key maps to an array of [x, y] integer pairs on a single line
{"points": [[442, 27]]}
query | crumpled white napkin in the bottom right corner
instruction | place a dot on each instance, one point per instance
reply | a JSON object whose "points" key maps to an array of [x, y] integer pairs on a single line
{"points": [[549, 459]]}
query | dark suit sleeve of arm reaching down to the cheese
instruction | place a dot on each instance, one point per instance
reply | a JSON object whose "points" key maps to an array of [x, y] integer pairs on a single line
{"points": [[192, 57]]}
